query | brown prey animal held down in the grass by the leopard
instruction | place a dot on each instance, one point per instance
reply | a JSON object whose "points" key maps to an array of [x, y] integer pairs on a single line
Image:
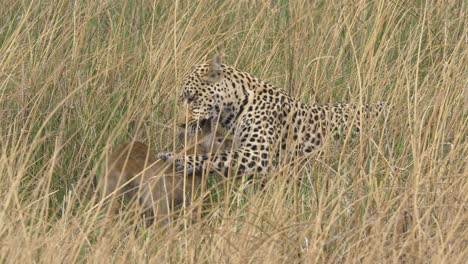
{"points": [[133, 171]]}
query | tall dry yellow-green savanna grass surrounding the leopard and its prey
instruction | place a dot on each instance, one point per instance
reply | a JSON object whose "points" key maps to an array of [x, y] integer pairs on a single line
{"points": [[77, 77]]}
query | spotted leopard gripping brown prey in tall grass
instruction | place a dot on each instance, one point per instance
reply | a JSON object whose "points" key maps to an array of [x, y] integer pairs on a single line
{"points": [[267, 124]]}
